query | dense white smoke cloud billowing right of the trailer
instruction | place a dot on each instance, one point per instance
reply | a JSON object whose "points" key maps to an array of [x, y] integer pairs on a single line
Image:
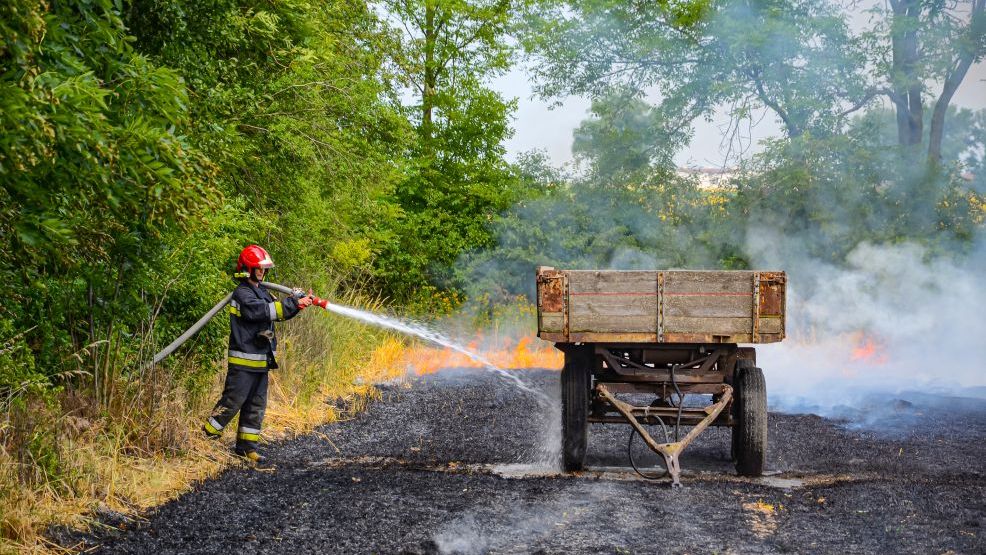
{"points": [[891, 321]]}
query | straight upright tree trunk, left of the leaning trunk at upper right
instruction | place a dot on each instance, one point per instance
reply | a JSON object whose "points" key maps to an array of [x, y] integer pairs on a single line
{"points": [[907, 87]]}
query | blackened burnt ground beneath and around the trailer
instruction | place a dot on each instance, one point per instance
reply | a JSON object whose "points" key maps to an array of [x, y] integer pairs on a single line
{"points": [[442, 465]]}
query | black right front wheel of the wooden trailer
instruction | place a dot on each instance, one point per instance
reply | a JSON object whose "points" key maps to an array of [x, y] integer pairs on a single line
{"points": [[750, 412]]}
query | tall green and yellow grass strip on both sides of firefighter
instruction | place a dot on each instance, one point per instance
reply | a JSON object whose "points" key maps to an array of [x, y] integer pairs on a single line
{"points": [[64, 457]]}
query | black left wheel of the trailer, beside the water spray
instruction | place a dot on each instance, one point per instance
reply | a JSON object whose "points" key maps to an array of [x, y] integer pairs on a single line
{"points": [[575, 406]]}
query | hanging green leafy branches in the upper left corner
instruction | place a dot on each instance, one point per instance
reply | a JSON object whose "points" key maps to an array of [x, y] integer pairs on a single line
{"points": [[84, 136]]}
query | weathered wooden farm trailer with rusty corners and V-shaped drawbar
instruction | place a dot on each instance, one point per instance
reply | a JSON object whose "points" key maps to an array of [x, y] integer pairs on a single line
{"points": [[667, 333]]}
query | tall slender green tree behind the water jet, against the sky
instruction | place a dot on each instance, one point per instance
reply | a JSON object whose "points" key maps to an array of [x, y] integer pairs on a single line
{"points": [[446, 52]]}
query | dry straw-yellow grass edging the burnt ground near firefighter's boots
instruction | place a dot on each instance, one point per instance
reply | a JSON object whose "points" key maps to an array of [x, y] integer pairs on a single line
{"points": [[106, 478]]}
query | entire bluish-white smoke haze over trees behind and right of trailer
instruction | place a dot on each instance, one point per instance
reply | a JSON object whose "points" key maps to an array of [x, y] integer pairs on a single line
{"points": [[881, 320]]}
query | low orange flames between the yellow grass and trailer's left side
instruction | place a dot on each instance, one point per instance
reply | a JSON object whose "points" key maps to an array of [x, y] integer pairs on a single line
{"points": [[527, 352]]}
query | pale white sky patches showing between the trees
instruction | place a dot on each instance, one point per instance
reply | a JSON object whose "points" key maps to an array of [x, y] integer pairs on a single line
{"points": [[538, 126]]}
